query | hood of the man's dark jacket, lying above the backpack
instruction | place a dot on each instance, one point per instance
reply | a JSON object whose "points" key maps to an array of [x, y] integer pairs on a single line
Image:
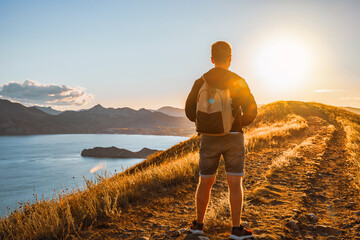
{"points": [[220, 77]]}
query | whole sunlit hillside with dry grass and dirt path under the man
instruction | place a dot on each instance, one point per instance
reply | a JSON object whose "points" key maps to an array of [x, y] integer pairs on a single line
{"points": [[302, 182]]}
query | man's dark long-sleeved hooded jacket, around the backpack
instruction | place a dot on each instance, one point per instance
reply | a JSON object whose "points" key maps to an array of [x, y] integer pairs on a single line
{"points": [[243, 102]]}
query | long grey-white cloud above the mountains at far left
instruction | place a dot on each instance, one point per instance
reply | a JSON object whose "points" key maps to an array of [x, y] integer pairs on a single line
{"points": [[32, 92]]}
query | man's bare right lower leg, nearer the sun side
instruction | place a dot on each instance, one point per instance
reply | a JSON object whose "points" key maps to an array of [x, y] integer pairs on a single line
{"points": [[236, 198]]}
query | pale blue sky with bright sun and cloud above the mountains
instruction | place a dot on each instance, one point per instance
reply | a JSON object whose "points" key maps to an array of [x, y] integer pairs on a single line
{"points": [[74, 54]]}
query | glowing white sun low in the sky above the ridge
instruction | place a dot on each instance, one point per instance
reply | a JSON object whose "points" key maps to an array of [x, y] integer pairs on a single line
{"points": [[282, 64]]}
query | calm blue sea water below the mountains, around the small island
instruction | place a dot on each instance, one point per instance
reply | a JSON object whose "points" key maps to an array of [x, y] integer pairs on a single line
{"points": [[42, 166]]}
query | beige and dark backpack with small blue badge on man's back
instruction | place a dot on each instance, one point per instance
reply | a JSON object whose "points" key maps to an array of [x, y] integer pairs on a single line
{"points": [[213, 111]]}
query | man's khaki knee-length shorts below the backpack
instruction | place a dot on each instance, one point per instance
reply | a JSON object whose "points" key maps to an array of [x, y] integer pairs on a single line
{"points": [[232, 148]]}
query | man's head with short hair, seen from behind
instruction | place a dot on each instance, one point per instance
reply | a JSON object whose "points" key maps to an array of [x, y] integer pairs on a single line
{"points": [[221, 54]]}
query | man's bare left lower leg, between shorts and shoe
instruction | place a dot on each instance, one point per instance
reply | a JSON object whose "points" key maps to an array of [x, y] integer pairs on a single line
{"points": [[203, 196]]}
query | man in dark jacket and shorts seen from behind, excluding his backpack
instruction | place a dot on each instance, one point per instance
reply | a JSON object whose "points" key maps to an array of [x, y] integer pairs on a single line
{"points": [[230, 146]]}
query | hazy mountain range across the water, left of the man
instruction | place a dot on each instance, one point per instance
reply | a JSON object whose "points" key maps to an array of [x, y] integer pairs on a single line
{"points": [[16, 119]]}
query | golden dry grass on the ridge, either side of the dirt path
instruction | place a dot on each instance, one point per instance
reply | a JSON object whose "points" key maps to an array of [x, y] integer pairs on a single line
{"points": [[70, 213]]}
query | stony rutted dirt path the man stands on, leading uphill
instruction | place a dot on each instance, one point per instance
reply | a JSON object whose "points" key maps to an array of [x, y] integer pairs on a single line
{"points": [[300, 190]]}
